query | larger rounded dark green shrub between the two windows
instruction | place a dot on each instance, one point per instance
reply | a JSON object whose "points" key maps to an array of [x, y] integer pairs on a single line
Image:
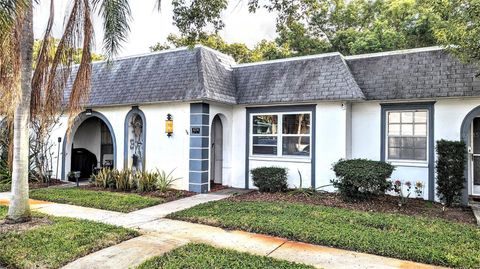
{"points": [[361, 178]]}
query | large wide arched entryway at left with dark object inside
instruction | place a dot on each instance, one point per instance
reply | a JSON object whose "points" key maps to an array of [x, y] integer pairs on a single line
{"points": [[90, 146]]}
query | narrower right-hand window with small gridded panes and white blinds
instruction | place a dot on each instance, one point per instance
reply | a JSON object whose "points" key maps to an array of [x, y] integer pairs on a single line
{"points": [[407, 135]]}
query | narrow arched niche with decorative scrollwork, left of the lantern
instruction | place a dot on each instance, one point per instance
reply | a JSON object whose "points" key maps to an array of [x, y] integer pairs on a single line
{"points": [[135, 138]]}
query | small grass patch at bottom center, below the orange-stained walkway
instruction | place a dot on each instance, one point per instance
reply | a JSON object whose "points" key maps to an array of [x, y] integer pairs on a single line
{"points": [[203, 256]]}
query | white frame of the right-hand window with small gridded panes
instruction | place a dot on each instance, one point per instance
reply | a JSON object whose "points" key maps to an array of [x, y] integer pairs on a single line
{"points": [[427, 148]]}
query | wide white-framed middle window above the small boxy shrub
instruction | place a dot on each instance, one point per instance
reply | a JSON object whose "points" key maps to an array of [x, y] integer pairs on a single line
{"points": [[292, 139]]}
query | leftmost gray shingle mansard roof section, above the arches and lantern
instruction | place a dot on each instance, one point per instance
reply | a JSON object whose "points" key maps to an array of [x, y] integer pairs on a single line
{"points": [[180, 75]]}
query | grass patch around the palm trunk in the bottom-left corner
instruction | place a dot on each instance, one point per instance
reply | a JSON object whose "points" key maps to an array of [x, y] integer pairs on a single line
{"points": [[56, 241]]}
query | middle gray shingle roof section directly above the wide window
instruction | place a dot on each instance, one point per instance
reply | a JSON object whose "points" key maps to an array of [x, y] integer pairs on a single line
{"points": [[324, 77]]}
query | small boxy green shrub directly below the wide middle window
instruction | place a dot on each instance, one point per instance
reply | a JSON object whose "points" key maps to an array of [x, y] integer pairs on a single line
{"points": [[270, 179]]}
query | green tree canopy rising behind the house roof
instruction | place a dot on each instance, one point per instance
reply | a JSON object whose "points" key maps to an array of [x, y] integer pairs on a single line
{"points": [[306, 27]]}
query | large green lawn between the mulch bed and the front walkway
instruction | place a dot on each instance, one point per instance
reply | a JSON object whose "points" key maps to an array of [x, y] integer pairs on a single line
{"points": [[424, 240]]}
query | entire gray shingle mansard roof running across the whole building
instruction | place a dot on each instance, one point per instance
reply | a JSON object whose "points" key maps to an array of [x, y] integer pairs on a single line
{"points": [[202, 74]]}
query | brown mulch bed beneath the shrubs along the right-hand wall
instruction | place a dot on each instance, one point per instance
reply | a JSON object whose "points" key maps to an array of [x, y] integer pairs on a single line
{"points": [[384, 204]]}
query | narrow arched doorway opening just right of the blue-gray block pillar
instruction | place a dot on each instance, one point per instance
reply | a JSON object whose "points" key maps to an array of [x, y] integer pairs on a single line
{"points": [[216, 160]]}
